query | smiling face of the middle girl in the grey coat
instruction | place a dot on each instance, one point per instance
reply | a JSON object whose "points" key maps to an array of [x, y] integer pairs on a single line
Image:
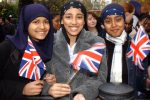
{"points": [[73, 21]]}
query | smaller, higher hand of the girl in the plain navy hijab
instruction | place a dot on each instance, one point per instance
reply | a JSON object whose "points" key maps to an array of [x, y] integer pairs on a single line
{"points": [[50, 79]]}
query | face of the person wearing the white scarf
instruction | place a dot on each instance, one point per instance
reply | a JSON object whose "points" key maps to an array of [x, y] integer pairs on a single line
{"points": [[114, 25]]}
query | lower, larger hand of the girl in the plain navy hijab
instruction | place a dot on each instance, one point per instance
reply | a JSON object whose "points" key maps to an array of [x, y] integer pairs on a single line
{"points": [[33, 88]]}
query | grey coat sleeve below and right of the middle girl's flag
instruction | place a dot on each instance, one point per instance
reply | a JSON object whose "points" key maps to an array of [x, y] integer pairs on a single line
{"points": [[90, 88]]}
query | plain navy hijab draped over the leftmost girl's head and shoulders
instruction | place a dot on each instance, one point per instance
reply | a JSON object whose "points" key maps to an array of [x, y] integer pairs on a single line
{"points": [[20, 40]]}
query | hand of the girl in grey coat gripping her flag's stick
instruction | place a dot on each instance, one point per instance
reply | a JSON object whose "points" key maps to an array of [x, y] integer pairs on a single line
{"points": [[59, 90]]}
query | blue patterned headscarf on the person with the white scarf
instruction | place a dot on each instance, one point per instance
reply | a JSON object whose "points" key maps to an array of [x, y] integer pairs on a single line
{"points": [[112, 9]]}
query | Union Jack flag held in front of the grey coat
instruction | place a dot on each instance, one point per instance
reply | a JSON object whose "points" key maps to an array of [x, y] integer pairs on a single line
{"points": [[89, 59]]}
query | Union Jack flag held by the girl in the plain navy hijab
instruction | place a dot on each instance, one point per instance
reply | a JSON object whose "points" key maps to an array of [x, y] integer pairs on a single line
{"points": [[32, 66]]}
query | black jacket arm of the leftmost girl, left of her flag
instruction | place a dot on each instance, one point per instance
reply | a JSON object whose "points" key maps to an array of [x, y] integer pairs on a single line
{"points": [[11, 85]]}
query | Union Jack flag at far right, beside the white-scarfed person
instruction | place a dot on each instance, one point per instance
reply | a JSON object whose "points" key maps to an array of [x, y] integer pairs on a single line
{"points": [[139, 47]]}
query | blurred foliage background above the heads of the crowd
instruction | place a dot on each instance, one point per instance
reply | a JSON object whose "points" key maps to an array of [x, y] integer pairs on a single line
{"points": [[11, 8]]}
